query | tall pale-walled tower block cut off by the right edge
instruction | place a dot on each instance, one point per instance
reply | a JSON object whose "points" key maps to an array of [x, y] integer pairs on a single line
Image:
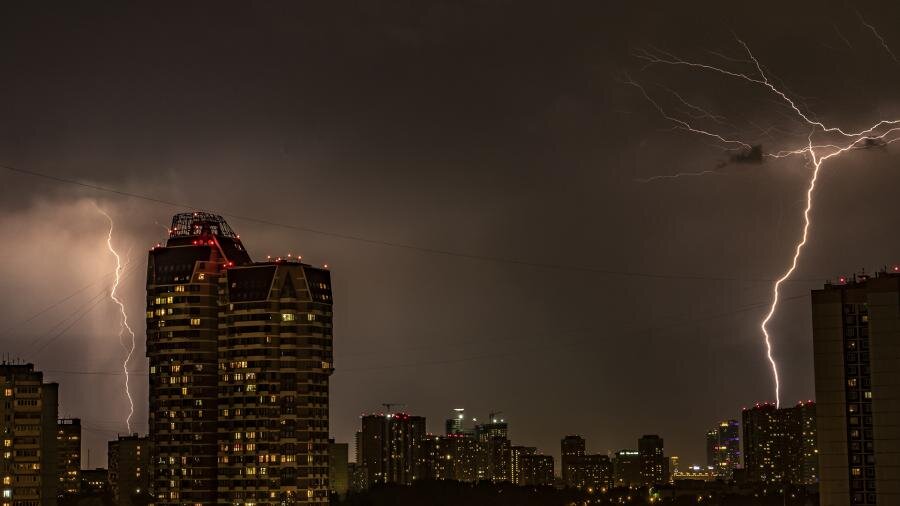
{"points": [[857, 371]]}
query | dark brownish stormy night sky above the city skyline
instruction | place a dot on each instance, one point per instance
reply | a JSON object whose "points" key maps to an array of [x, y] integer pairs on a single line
{"points": [[500, 129]]}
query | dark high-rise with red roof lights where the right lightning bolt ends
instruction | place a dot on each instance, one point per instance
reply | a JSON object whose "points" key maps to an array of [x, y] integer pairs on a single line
{"points": [[780, 444]]}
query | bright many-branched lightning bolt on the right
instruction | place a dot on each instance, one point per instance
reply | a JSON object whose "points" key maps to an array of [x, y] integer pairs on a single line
{"points": [[837, 142]]}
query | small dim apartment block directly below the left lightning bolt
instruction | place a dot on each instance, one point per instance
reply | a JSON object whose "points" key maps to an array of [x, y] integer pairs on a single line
{"points": [[129, 473]]}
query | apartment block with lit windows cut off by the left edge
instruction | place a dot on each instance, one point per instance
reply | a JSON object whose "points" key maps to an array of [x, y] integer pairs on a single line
{"points": [[29, 437]]}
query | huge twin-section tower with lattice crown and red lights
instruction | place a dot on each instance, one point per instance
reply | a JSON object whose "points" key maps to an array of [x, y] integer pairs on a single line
{"points": [[240, 355]]}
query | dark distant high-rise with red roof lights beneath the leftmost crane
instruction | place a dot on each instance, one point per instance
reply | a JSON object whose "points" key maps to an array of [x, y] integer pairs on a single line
{"points": [[393, 448]]}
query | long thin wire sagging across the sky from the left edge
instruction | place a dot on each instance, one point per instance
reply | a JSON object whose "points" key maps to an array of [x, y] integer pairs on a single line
{"points": [[391, 244]]}
